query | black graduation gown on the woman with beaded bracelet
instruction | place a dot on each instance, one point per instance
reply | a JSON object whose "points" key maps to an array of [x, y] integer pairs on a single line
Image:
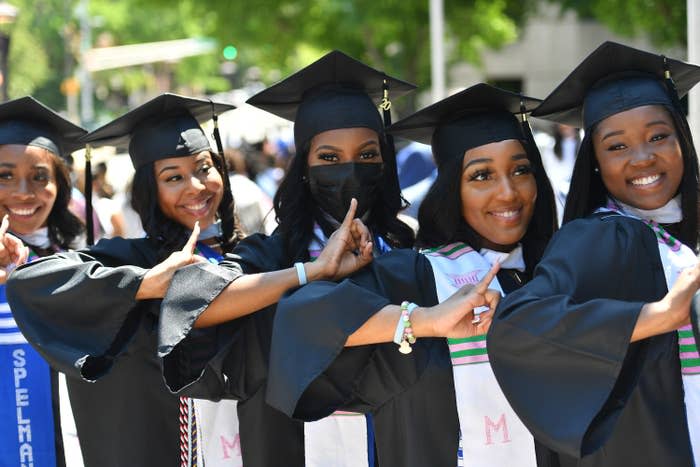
{"points": [[411, 397]]}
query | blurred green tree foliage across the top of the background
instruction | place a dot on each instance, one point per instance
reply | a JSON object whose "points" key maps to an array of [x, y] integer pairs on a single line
{"points": [[276, 37]]}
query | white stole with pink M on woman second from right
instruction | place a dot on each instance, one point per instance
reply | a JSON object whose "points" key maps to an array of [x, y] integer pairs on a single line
{"points": [[491, 434]]}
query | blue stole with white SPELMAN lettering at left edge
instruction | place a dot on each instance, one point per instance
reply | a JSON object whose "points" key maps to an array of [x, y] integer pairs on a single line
{"points": [[27, 427]]}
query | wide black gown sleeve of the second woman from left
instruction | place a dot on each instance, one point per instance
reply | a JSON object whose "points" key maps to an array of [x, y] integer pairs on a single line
{"points": [[78, 309]]}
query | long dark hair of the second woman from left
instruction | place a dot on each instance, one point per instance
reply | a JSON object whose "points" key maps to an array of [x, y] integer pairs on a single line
{"points": [[170, 234]]}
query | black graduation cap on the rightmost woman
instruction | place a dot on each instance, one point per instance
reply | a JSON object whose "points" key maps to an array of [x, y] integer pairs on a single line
{"points": [[615, 78]]}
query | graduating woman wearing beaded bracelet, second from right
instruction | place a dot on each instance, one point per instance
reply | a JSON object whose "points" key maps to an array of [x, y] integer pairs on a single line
{"points": [[490, 204]]}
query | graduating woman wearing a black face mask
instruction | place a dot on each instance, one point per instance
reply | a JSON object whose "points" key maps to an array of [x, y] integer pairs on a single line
{"points": [[342, 153]]}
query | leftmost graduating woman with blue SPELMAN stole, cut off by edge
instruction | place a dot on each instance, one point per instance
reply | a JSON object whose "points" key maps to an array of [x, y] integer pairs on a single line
{"points": [[34, 195]]}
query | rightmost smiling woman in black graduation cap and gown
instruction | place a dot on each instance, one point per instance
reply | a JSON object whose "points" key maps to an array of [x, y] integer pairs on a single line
{"points": [[595, 354]]}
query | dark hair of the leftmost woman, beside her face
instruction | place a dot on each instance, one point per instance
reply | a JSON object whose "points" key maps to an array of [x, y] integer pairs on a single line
{"points": [[64, 226]]}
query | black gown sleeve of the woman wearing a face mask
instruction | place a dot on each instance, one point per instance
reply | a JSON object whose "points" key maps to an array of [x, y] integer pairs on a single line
{"points": [[222, 361]]}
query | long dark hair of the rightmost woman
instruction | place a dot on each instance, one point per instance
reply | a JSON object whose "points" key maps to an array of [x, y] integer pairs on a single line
{"points": [[588, 192]]}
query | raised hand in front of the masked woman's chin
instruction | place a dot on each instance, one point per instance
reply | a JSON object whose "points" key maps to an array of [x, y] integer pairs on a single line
{"points": [[348, 249]]}
